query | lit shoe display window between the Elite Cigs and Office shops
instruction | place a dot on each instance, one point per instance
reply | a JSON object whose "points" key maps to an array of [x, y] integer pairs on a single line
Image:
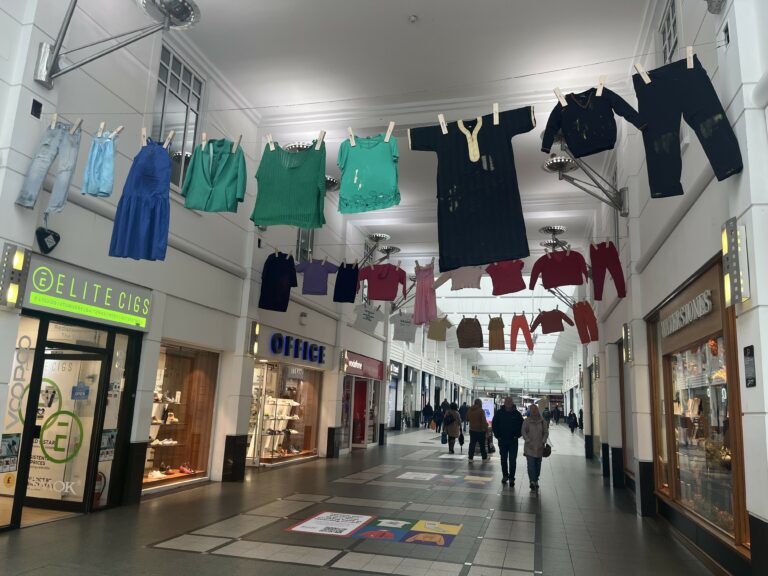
{"points": [[182, 415]]}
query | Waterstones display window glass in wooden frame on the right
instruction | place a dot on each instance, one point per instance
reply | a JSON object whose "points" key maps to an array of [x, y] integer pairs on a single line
{"points": [[702, 435]]}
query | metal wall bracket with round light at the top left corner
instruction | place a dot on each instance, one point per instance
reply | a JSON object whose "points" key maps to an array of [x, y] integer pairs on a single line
{"points": [[177, 14]]}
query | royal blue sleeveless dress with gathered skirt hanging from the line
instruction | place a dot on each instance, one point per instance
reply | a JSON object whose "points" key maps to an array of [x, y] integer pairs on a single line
{"points": [[141, 223]]}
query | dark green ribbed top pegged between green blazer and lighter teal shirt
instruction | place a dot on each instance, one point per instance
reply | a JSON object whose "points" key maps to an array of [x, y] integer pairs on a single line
{"points": [[291, 188]]}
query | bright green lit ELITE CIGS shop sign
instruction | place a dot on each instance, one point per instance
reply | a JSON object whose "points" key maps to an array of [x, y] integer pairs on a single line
{"points": [[67, 290]]}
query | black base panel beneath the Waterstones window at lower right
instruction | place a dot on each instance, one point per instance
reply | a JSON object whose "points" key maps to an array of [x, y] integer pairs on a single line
{"points": [[718, 551]]}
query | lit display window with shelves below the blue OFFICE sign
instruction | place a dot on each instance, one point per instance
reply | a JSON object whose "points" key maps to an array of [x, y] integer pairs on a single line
{"points": [[285, 403]]}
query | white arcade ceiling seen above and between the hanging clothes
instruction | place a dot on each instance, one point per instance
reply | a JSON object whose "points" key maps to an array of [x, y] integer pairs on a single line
{"points": [[306, 65]]}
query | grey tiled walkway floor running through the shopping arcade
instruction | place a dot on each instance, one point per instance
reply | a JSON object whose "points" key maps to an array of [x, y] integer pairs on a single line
{"points": [[575, 526]]}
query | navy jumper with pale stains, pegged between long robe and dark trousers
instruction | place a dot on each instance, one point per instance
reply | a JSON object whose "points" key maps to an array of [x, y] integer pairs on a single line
{"points": [[587, 122]]}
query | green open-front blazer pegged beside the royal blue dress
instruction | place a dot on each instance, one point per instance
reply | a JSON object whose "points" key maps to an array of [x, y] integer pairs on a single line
{"points": [[215, 180]]}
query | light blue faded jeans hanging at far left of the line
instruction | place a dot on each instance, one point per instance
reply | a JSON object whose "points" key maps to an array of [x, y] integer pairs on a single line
{"points": [[56, 142]]}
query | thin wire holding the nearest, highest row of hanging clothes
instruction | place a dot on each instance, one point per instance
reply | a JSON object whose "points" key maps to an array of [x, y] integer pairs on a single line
{"points": [[717, 44]]}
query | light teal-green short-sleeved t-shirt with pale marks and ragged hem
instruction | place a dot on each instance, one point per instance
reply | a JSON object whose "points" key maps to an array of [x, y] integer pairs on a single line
{"points": [[368, 174]]}
